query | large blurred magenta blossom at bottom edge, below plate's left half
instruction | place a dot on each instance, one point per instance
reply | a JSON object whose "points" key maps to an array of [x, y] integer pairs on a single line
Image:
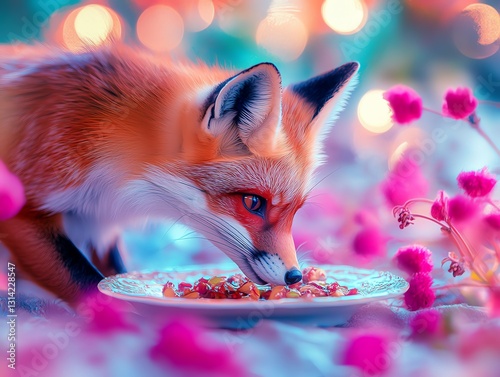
{"points": [[184, 344]]}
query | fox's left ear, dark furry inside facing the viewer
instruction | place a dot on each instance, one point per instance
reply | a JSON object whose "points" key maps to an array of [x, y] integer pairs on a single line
{"points": [[246, 112]]}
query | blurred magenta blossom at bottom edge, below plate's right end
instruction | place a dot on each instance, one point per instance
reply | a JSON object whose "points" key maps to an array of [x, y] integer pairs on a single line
{"points": [[369, 352]]}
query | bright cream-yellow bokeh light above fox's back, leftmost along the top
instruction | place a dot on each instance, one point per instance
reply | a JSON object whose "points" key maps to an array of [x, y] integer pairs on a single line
{"points": [[90, 25]]}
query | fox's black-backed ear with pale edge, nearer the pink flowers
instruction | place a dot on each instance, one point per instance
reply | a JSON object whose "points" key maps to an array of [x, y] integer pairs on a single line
{"points": [[326, 94]]}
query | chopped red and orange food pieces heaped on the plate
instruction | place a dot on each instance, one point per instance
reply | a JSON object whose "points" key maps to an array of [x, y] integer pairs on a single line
{"points": [[314, 284]]}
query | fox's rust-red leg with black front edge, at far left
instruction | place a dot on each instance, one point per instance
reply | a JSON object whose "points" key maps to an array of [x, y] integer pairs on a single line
{"points": [[42, 250]]}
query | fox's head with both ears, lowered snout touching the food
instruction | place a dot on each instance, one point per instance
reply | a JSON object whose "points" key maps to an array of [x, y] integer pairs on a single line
{"points": [[250, 148]]}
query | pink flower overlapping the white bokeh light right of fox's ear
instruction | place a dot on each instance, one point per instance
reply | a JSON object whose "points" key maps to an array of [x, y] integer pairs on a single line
{"points": [[405, 103]]}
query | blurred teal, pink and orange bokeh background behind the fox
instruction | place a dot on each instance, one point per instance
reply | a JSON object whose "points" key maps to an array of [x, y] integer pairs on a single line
{"points": [[430, 45]]}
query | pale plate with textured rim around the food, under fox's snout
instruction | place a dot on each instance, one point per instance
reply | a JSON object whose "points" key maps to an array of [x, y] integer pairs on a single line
{"points": [[146, 287]]}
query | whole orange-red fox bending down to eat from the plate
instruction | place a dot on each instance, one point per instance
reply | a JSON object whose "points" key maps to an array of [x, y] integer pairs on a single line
{"points": [[107, 137]]}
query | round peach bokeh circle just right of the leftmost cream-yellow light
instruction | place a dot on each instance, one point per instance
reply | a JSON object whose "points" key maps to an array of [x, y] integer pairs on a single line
{"points": [[160, 28]]}
